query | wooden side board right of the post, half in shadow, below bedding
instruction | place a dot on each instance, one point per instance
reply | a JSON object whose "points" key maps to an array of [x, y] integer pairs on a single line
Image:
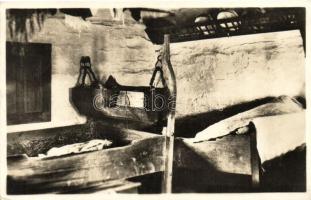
{"points": [[229, 154]]}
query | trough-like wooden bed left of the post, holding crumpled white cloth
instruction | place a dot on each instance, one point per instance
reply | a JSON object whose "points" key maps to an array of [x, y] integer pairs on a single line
{"points": [[135, 153]]}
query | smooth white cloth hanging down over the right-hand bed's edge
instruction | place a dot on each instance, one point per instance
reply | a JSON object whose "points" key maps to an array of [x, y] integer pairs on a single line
{"points": [[277, 135]]}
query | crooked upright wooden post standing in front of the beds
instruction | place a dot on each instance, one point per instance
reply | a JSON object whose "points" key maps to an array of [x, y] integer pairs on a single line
{"points": [[169, 133]]}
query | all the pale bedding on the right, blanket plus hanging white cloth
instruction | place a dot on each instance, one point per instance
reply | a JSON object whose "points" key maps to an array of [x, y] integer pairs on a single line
{"points": [[280, 127]]}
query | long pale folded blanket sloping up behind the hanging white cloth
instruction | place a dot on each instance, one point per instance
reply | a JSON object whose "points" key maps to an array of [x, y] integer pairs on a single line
{"points": [[279, 106]]}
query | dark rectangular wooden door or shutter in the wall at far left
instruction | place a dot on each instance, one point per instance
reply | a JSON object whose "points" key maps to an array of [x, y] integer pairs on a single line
{"points": [[28, 82]]}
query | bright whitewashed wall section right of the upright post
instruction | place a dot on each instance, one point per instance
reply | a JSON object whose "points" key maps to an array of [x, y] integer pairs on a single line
{"points": [[213, 74]]}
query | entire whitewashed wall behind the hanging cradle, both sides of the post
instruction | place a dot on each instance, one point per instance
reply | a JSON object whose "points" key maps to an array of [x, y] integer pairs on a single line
{"points": [[211, 74]]}
